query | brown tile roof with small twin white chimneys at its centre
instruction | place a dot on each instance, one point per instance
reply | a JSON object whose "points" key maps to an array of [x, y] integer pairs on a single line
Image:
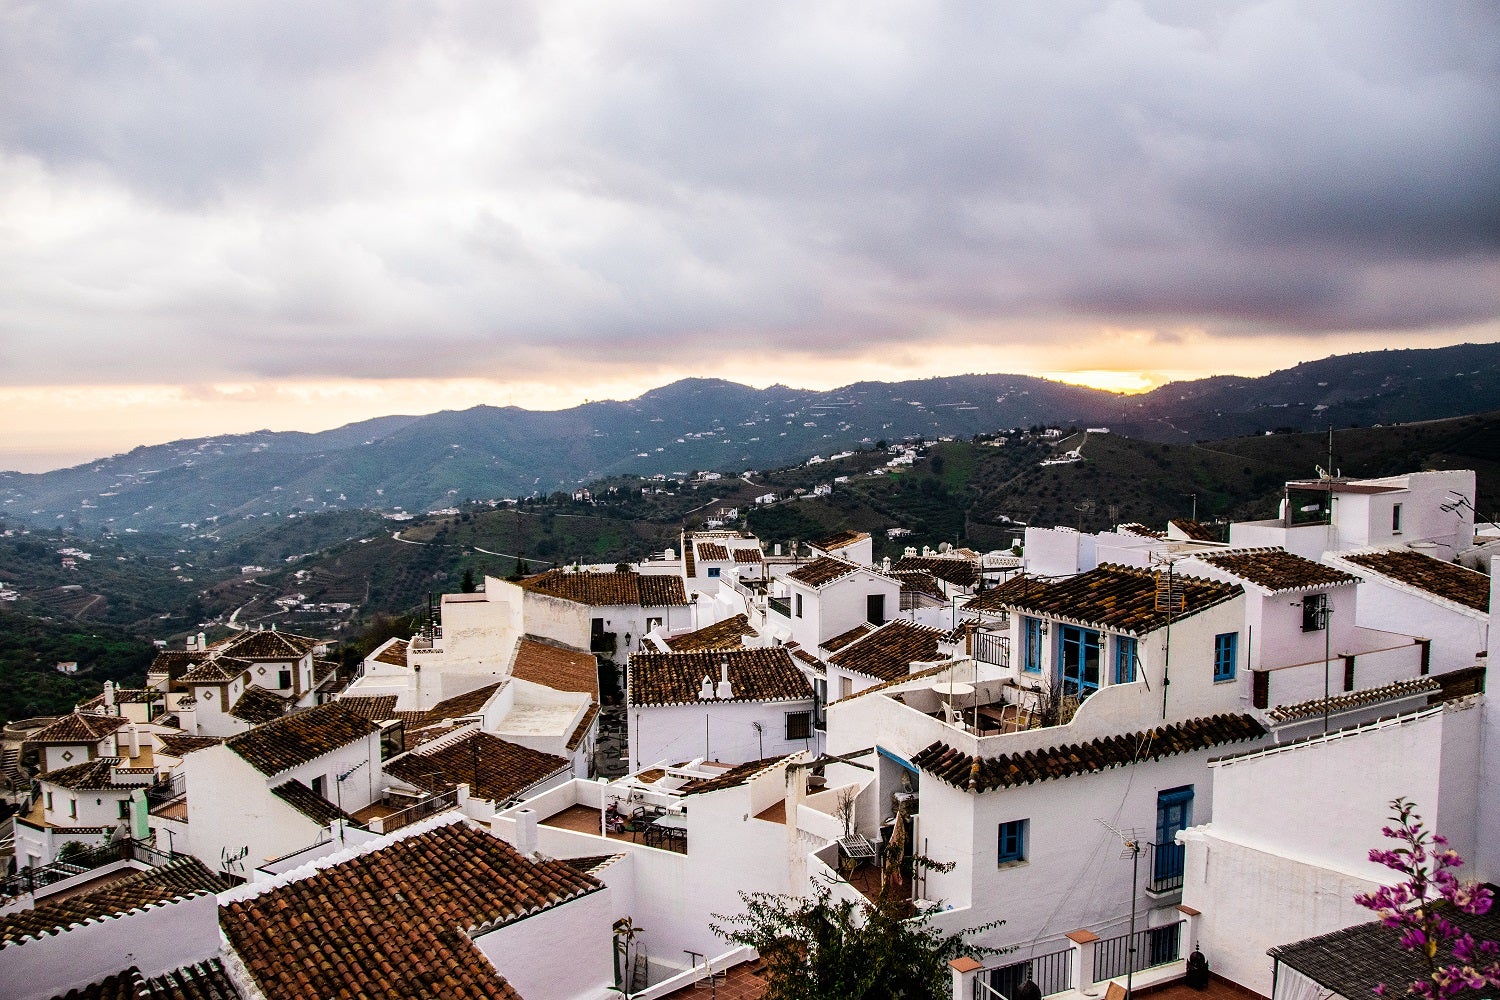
{"points": [[676, 678]]}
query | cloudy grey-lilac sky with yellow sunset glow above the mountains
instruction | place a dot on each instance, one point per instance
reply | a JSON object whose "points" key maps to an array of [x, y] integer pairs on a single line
{"points": [[232, 217]]}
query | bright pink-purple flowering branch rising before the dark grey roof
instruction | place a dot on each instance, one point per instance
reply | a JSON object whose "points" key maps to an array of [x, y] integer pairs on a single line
{"points": [[1421, 906]]}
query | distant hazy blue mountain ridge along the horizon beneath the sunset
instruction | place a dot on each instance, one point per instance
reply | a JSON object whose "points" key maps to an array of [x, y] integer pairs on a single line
{"points": [[428, 463]]}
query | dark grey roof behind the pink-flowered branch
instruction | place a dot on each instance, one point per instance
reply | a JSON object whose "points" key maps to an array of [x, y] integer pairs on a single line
{"points": [[1354, 962]]}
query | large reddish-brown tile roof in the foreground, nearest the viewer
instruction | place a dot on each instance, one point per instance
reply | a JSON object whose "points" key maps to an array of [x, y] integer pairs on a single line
{"points": [[398, 921]]}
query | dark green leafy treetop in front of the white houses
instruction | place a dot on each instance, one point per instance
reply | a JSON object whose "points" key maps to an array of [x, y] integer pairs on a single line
{"points": [[823, 948]]}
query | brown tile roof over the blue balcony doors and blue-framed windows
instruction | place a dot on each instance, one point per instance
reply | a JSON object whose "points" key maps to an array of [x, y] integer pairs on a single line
{"points": [[1121, 599]]}
